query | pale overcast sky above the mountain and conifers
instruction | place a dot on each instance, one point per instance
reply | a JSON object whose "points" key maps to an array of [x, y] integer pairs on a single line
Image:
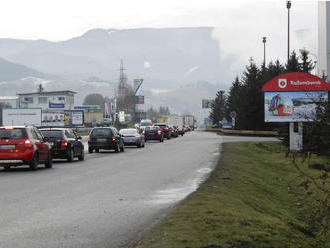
{"points": [[239, 25]]}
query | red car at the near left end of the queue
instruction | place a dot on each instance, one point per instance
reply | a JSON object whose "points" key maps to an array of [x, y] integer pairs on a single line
{"points": [[23, 145]]}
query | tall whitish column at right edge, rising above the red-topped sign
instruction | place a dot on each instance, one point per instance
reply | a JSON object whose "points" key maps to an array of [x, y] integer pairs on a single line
{"points": [[324, 39]]}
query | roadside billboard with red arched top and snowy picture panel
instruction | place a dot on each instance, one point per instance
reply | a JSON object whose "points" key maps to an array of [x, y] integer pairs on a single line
{"points": [[293, 97]]}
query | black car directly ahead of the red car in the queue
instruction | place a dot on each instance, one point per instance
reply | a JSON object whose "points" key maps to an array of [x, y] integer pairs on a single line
{"points": [[64, 143]]}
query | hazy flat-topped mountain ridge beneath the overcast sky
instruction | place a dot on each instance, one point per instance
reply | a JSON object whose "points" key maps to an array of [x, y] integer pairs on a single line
{"points": [[164, 57]]}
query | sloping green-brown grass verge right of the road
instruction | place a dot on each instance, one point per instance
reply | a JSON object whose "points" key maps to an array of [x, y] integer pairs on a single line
{"points": [[254, 198]]}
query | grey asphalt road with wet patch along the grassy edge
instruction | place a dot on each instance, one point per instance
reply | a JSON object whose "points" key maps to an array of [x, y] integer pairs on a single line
{"points": [[106, 200]]}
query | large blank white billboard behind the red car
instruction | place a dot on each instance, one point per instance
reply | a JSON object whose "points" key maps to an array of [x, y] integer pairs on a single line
{"points": [[21, 117]]}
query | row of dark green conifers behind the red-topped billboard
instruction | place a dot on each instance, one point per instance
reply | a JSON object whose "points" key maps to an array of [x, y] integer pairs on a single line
{"points": [[245, 96]]}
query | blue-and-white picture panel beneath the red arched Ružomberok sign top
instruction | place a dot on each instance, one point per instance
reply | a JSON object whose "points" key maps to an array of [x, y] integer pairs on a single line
{"points": [[293, 106]]}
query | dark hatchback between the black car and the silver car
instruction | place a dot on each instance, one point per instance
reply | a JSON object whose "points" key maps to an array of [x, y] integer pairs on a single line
{"points": [[106, 138]]}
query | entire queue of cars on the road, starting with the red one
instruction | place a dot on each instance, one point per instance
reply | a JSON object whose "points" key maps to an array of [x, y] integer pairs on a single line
{"points": [[28, 145]]}
